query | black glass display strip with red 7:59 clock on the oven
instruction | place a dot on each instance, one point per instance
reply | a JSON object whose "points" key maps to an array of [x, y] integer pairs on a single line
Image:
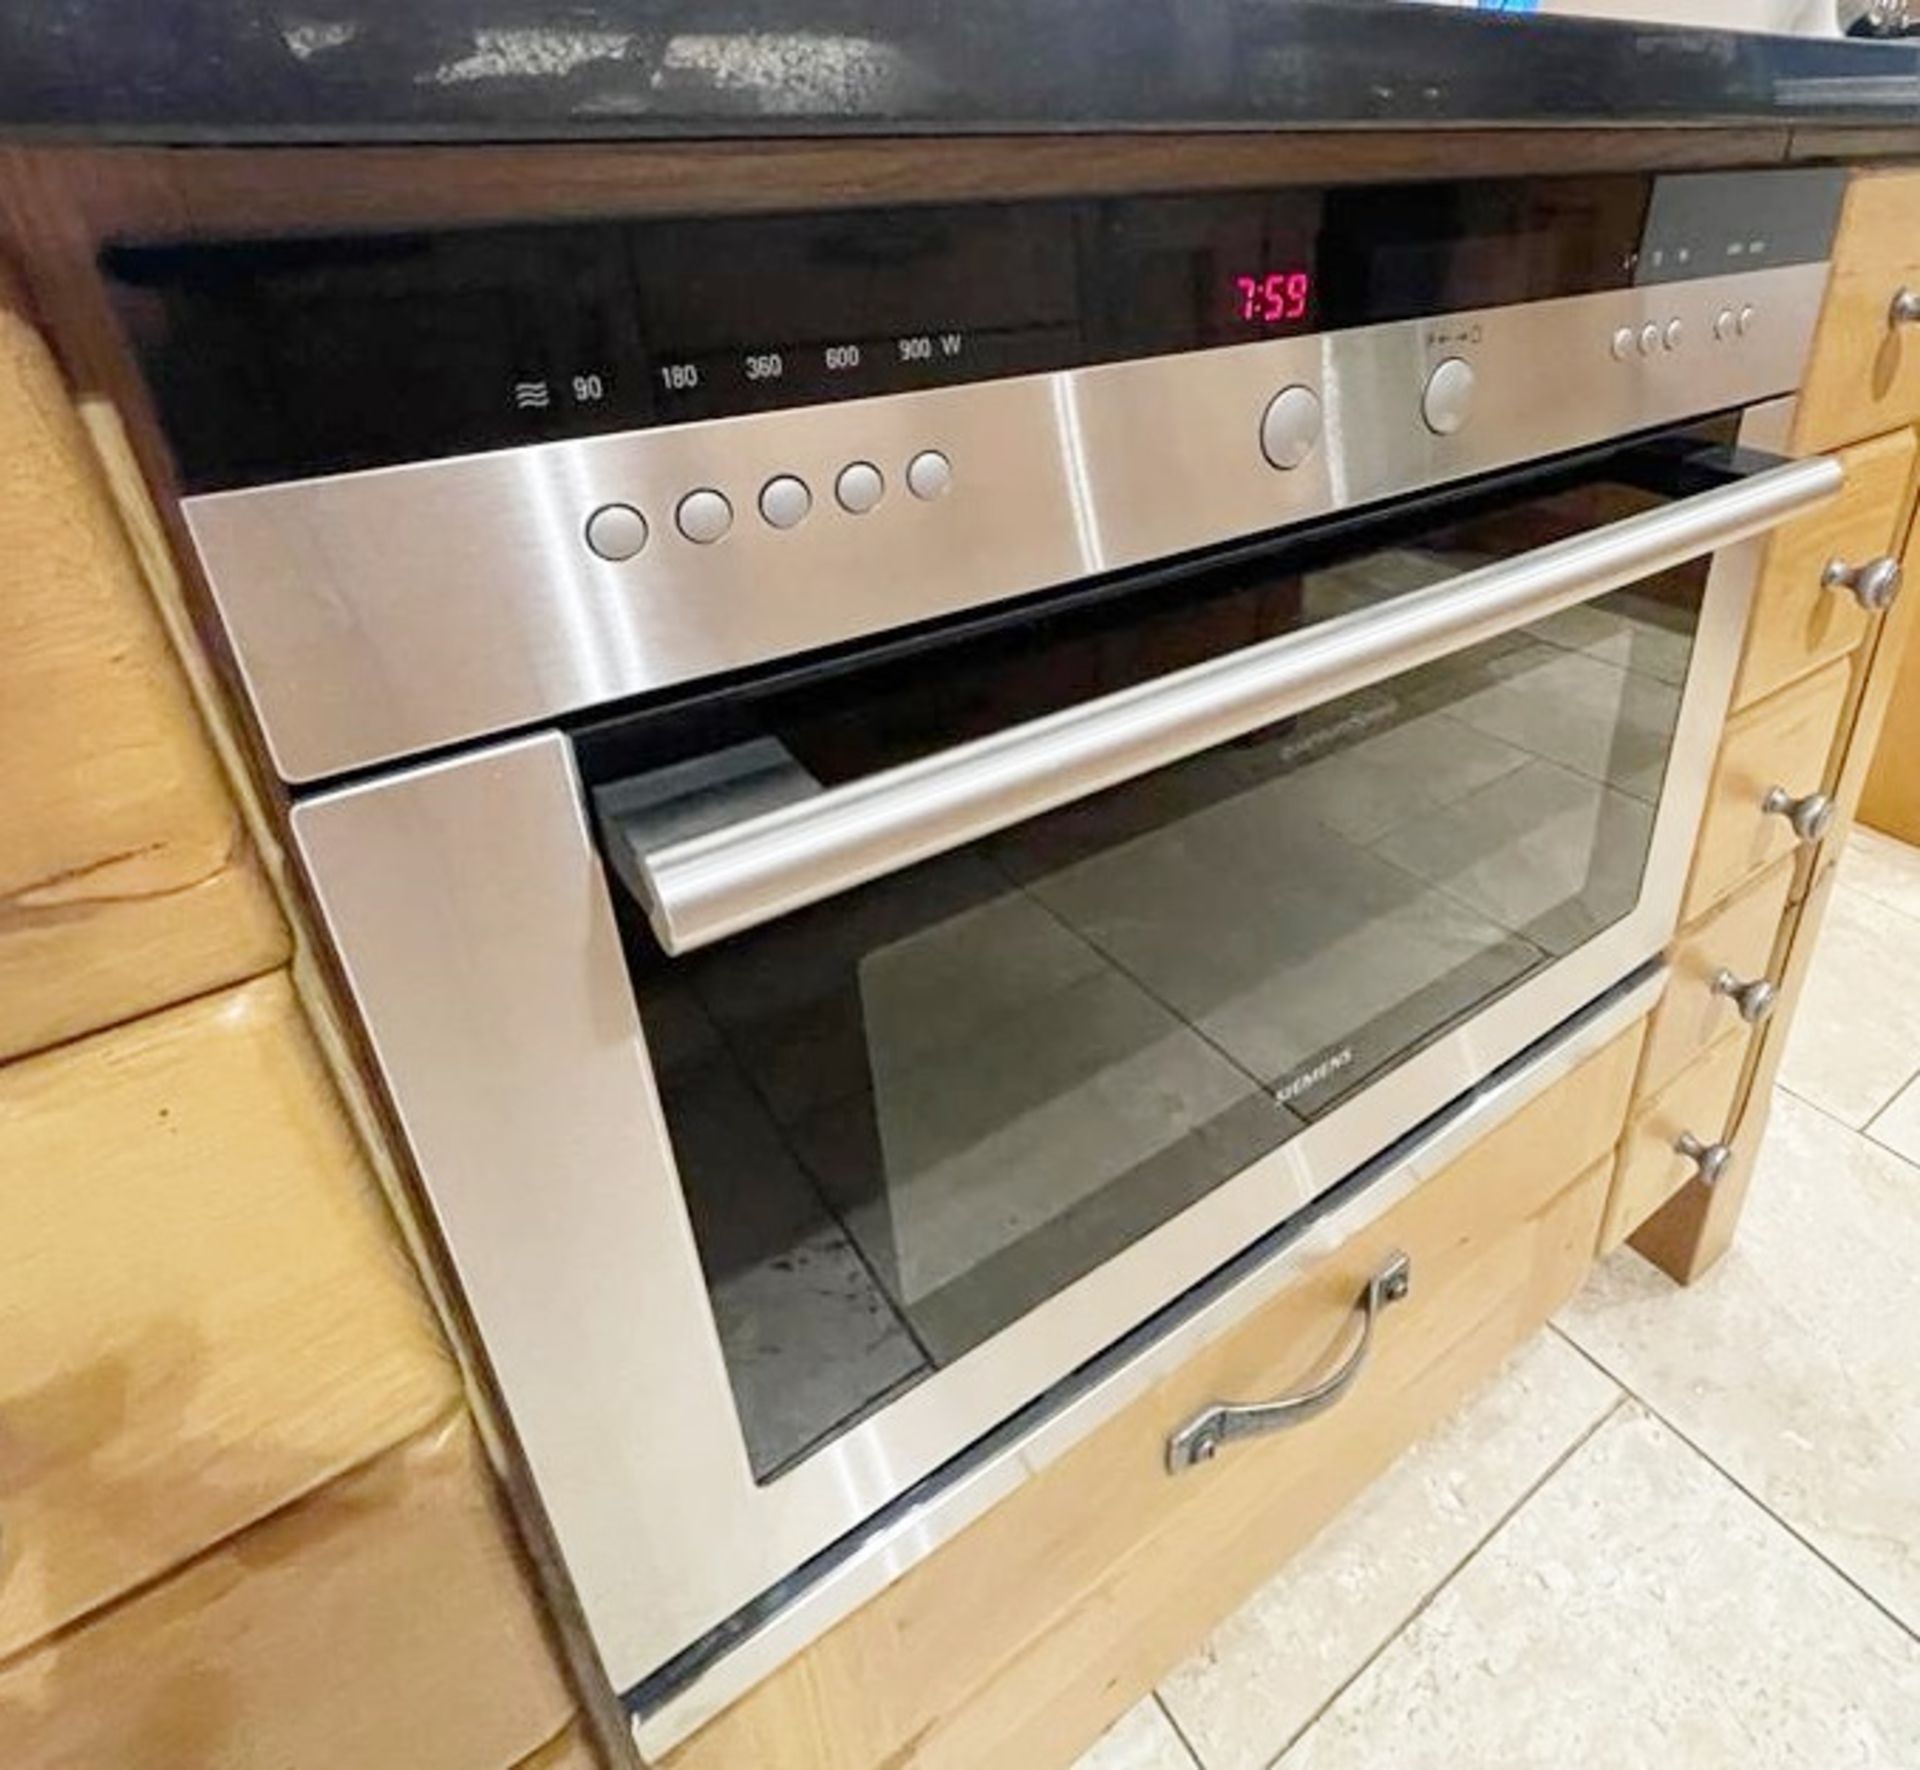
{"points": [[281, 360]]}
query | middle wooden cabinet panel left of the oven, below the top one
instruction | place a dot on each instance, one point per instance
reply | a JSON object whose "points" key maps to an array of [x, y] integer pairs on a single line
{"points": [[204, 1314]]}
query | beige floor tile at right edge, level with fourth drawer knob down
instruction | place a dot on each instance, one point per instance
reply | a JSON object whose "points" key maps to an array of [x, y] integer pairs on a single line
{"points": [[1856, 1034]]}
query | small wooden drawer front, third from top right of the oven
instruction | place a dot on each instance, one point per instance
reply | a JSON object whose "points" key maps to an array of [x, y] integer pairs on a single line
{"points": [[1783, 742]]}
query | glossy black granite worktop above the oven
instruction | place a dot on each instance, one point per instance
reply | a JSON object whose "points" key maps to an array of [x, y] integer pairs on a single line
{"points": [[517, 70]]}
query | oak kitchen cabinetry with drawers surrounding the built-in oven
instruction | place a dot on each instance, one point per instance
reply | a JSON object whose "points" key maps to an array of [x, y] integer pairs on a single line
{"points": [[243, 1429]]}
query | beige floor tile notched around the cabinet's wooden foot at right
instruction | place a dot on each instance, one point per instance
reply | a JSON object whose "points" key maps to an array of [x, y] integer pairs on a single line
{"points": [[1792, 1364]]}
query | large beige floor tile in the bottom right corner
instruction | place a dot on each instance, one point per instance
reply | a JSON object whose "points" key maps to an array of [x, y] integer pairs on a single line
{"points": [[1637, 1612]]}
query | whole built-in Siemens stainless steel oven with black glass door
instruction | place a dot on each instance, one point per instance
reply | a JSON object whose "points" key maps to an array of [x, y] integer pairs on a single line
{"points": [[907, 798]]}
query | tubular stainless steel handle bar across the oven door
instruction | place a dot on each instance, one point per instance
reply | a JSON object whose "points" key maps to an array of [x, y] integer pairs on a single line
{"points": [[719, 884]]}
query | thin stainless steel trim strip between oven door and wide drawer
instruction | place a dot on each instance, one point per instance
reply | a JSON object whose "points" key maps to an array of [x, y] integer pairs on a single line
{"points": [[911, 1539]]}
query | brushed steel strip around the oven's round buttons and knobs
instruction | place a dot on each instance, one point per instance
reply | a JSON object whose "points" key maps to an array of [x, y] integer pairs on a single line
{"points": [[385, 613]]}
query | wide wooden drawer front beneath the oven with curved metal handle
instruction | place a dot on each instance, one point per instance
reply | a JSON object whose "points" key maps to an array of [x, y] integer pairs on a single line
{"points": [[1036, 1627]]}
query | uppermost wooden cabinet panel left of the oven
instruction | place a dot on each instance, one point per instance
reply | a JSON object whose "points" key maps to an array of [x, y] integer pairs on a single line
{"points": [[126, 878]]}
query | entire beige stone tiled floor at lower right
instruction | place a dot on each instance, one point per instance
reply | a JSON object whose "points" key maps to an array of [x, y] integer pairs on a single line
{"points": [[1683, 1527]]}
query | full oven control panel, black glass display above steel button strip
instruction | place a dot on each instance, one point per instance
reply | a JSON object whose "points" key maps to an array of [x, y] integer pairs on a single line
{"points": [[408, 560]]}
